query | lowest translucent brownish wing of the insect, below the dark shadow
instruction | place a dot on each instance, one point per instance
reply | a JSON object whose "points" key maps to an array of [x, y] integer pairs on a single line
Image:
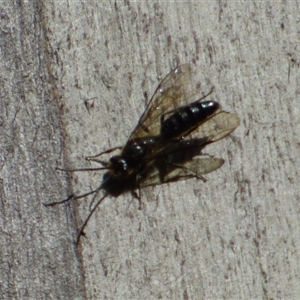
{"points": [[191, 169]]}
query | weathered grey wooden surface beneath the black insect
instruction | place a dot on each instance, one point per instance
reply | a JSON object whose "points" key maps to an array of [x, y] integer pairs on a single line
{"points": [[233, 237]]}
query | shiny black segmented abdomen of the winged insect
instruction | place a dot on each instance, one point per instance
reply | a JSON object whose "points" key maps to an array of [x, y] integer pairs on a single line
{"points": [[187, 117]]}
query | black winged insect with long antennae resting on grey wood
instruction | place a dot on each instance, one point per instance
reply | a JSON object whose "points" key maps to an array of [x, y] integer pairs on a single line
{"points": [[166, 144]]}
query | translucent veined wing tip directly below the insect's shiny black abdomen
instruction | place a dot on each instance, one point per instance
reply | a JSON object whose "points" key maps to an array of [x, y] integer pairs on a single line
{"points": [[217, 127]]}
